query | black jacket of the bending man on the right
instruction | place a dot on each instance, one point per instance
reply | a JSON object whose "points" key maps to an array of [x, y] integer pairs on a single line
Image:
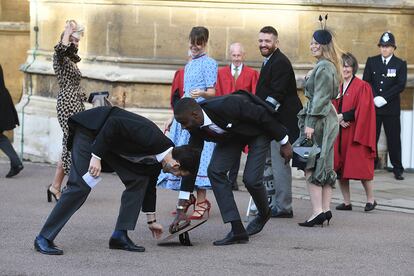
{"points": [[243, 116]]}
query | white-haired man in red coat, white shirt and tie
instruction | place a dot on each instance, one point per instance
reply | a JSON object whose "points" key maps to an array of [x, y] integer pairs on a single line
{"points": [[236, 76]]}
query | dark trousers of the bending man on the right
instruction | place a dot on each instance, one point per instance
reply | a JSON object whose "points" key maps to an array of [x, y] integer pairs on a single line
{"points": [[223, 159]]}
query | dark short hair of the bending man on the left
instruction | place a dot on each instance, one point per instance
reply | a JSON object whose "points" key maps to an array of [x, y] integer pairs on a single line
{"points": [[188, 157]]}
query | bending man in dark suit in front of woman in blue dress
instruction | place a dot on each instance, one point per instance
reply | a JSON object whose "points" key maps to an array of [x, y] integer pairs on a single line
{"points": [[233, 121]]}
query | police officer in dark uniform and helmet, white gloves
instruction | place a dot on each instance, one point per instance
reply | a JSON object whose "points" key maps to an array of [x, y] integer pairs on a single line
{"points": [[387, 75]]}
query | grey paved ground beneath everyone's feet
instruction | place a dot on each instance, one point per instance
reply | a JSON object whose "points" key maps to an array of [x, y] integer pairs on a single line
{"points": [[380, 242]]}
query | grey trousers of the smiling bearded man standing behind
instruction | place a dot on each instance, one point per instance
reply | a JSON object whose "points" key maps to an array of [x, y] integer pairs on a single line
{"points": [[281, 202]]}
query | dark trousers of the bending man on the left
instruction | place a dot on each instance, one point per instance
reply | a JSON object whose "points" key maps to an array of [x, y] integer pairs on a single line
{"points": [[77, 191]]}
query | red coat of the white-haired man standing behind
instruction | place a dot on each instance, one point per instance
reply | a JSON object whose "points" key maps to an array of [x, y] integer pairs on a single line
{"points": [[247, 80]]}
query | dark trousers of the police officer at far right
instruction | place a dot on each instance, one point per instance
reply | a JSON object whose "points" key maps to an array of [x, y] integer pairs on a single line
{"points": [[392, 128]]}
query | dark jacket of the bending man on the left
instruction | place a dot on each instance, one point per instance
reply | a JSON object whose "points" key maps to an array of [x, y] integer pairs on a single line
{"points": [[119, 132]]}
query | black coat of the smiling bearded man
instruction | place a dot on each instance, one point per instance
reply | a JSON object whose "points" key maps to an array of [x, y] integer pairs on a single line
{"points": [[277, 80]]}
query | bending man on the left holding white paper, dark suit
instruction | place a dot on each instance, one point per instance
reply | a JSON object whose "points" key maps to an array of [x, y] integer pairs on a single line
{"points": [[133, 147]]}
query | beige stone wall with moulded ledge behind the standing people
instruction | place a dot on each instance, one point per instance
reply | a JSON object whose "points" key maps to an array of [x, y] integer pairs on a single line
{"points": [[132, 48]]}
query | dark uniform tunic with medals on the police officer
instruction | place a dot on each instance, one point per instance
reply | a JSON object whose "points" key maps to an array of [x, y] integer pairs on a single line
{"points": [[387, 81]]}
